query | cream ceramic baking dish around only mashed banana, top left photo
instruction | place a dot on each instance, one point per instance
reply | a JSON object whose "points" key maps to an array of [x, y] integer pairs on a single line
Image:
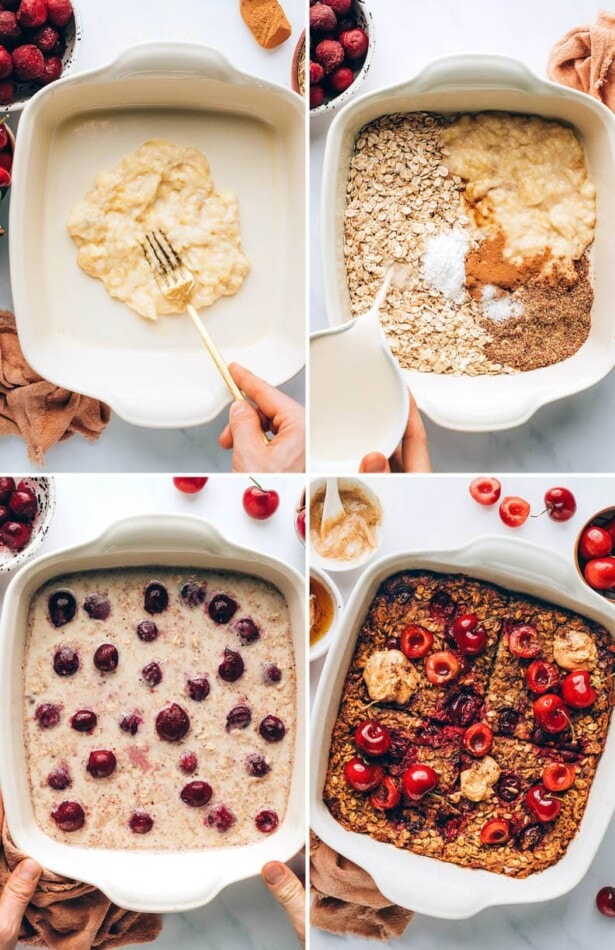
{"points": [[71, 331]]}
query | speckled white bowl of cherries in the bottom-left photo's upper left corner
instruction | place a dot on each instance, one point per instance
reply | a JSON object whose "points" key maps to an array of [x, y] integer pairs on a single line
{"points": [[26, 509]]}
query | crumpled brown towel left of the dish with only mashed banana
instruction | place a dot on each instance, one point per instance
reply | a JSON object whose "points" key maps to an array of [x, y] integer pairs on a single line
{"points": [[41, 413]]}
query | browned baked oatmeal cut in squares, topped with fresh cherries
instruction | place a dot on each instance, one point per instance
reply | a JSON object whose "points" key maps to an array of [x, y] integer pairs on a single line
{"points": [[471, 723]]}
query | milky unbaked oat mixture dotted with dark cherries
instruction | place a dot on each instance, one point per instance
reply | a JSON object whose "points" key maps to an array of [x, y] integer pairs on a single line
{"points": [[212, 652]]}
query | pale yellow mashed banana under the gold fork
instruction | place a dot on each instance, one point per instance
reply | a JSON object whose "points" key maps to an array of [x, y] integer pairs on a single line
{"points": [[168, 187]]}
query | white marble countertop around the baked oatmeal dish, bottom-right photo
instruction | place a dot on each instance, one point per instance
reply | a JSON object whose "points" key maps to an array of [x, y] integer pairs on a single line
{"points": [[428, 512]]}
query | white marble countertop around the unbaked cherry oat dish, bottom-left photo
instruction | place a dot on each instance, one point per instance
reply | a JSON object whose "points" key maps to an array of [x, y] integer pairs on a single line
{"points": [[243, 915]]}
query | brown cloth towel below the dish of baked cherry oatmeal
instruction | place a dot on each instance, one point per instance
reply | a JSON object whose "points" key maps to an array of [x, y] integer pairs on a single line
{"points": [[347, 900]]}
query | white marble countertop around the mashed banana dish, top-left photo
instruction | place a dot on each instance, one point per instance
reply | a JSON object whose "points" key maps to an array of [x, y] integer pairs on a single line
{"points": [[108, 29]]}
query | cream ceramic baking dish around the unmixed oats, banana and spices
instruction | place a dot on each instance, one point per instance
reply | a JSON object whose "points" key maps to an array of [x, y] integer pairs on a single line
{"points": [[471, 83]]}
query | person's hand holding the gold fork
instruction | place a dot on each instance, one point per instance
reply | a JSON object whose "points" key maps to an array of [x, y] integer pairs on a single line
{"points": [[282, 415]]}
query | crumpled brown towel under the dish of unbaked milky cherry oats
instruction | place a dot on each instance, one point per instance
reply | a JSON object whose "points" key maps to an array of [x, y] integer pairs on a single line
{"points": [[67, 915]]}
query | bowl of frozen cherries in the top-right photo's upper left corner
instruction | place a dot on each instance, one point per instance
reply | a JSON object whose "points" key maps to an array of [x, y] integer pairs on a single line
{"points": [[341, 48]]}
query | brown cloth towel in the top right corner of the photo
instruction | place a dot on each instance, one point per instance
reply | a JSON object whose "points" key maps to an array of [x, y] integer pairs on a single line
{"points": [[584, 59]]}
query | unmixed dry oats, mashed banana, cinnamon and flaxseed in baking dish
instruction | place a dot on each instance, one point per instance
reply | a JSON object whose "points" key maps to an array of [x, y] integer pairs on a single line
{"points": [[493, 217]]}
